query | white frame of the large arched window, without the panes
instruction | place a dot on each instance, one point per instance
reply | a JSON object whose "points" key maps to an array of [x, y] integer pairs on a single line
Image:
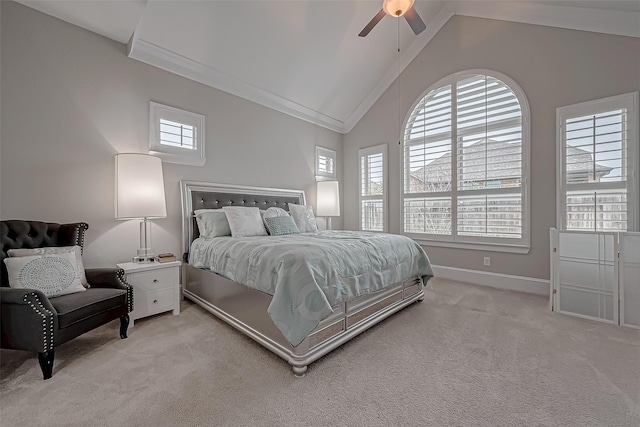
{"points": [[454, 240]]}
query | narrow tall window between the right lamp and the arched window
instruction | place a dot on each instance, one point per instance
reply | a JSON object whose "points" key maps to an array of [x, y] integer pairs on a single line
{"points": [[373, 188]]}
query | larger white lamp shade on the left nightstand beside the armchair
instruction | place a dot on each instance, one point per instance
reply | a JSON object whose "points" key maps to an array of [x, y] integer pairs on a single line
{"points": [[139, 187]]}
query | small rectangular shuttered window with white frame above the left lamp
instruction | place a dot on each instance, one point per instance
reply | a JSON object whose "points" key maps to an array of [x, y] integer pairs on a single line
{"points": [[175, 135]]}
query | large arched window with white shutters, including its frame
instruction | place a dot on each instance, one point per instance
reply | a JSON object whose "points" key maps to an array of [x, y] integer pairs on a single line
{"points": [[466, 162]]}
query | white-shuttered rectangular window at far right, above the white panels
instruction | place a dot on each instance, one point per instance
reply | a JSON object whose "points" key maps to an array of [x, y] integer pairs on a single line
{"points": [[598, 165]]}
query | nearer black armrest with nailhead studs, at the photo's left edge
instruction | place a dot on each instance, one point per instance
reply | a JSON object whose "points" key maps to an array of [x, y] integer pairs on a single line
{"points": [[29, 321]]}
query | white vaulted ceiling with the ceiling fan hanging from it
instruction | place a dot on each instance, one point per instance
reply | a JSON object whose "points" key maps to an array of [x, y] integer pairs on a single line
{"points": [[304, 58]]}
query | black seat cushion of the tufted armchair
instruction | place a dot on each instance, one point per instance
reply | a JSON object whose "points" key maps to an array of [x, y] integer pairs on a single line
{"points": [[76, 307]]}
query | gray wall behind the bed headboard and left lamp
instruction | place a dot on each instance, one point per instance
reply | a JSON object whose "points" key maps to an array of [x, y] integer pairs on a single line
{"points": [[72, 99]]}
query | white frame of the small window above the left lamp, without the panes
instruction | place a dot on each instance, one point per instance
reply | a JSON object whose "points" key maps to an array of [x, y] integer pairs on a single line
{"points": [[172, 154]]}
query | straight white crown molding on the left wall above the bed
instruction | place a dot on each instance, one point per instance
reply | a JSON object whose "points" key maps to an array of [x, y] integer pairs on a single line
{"points": [[156, 56]]}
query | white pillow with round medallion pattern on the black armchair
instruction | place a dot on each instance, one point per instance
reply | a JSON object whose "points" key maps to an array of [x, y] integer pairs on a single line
{"points": [[53, 274]]}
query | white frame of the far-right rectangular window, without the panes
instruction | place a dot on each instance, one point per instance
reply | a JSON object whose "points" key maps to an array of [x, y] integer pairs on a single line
{"points": [[629, 101]]}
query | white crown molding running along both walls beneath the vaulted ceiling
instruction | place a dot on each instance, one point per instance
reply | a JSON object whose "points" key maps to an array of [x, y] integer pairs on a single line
{"points": [[577, 18]]}
